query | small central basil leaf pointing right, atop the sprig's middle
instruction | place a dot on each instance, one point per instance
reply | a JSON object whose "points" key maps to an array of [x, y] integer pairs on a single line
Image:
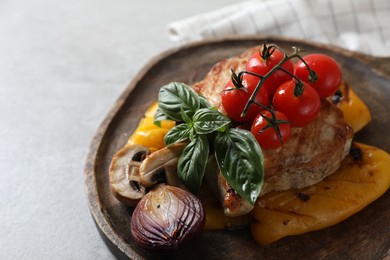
{"points": [[206, 121]]}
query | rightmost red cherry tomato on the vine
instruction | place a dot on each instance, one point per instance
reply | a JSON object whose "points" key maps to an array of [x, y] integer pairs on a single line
{"points": [[327, 70]]}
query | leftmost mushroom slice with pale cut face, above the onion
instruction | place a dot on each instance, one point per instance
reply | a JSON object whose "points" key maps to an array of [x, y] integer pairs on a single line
{"points": [[124, 174]]}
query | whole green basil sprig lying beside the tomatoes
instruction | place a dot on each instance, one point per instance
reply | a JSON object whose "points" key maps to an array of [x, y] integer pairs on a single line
{"points": [[237, 152]]}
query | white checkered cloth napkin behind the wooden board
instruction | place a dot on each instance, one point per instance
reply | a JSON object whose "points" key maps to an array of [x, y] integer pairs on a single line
{"points": [[358, 25]]}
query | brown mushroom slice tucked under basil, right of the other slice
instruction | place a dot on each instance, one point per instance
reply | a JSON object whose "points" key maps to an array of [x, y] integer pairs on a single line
{"points": [[161, 167]]}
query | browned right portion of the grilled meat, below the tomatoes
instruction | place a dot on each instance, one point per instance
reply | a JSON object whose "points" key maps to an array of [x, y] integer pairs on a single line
{"points": [[312, 153]]}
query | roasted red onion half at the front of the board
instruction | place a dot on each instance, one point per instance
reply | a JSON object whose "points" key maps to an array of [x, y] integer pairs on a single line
{"points": [[167, 217]]}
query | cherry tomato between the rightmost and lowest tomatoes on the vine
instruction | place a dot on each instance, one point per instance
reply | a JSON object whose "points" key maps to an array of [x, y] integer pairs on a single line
{"points": [[300, 110]]}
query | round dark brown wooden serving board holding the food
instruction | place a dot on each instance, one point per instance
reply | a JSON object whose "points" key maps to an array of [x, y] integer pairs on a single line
{"points": [[366, 235]]}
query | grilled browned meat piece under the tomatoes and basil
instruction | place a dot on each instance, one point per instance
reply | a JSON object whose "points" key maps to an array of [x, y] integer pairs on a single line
{"points": [[312, 153]]}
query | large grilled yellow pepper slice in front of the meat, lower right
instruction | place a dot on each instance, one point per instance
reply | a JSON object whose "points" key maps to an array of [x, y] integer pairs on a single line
{"points": [[355, 185]]}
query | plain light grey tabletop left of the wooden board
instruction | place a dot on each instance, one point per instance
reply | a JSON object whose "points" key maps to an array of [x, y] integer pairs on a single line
{"points": [[62, 66]]}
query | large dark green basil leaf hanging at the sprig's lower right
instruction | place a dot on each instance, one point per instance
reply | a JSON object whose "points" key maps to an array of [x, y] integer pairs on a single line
{"points": [[241, 162]]}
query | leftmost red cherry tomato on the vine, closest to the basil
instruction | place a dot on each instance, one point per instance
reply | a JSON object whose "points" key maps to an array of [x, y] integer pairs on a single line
{"points": [[234, 101]]}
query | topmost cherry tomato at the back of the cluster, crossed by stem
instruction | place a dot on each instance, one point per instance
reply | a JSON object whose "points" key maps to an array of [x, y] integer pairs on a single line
{"points": [[258, 65]]}
